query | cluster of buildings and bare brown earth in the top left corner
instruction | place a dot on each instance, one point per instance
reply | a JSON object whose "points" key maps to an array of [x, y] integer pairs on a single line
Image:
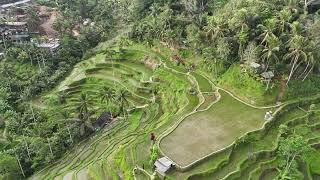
{"points": [[15, 25]]}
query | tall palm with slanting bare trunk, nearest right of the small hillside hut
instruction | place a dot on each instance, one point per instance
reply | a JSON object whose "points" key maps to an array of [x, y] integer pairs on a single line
{"points": [[297, 53]]}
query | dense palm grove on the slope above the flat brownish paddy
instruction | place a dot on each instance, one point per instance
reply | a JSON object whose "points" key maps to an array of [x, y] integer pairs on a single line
{"points": [[281, 35]]}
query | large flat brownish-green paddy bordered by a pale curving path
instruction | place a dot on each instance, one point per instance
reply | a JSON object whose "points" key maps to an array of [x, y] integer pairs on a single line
{"points": [[203, 133]]}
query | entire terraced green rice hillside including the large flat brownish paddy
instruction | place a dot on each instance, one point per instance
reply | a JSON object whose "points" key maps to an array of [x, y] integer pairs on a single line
{"points": [[188, 125]]}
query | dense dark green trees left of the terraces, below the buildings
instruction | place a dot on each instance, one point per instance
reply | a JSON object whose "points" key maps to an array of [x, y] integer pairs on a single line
{"points": [[26, 72]]}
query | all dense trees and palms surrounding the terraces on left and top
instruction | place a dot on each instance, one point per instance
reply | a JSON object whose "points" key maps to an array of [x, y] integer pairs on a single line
{"points": [[281, 35]]}
